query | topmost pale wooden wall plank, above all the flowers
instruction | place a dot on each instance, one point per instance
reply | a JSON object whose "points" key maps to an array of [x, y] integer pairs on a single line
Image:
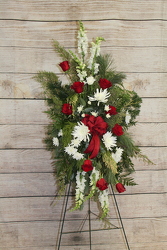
{"points": [[77, 10]]}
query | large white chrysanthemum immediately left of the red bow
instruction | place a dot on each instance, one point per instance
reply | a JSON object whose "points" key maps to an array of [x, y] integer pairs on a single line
{"points": [[81, 132]]}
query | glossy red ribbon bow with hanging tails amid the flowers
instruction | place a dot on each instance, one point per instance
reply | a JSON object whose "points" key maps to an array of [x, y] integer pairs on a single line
{"points": [[97, 127]]}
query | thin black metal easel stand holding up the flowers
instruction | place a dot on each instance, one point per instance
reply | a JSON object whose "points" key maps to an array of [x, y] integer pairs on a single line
{"points": [[87, 217]]}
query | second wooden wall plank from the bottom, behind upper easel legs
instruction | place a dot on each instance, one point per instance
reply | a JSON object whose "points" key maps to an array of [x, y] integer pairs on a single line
{"points": [[144, 205]]}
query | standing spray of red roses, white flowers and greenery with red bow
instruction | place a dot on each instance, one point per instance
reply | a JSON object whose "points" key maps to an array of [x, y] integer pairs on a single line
{"points": [[90, 115]]}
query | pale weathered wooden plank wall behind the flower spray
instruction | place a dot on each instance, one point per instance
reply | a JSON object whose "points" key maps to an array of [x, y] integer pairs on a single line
{"points": [[135, 33]]}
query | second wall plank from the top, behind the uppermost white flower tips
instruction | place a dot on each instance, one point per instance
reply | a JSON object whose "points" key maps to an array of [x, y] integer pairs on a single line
{"points": [[116, 33]]}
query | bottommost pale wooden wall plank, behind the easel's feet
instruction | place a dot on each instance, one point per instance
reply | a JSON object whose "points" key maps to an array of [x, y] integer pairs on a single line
{"points": [[27, 235]]}
